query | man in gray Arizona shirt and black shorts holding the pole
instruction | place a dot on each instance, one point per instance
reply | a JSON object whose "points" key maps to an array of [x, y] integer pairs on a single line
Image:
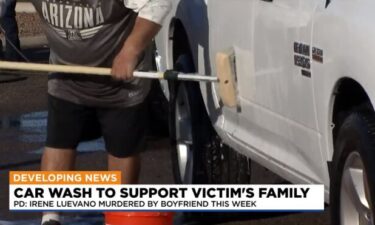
{"points": [[107, 33]]}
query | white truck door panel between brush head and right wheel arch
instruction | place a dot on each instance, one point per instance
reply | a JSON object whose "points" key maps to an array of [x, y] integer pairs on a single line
{"points": [[278, 116]]}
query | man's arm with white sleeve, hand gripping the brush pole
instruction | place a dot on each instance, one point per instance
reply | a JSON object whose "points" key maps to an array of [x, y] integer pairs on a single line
{"points": [[148, 23]]}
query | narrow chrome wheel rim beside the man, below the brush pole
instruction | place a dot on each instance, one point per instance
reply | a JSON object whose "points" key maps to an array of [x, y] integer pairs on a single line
{"points": [[184, 136]]}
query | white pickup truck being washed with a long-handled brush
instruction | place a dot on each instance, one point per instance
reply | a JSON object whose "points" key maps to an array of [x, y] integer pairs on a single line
{"points": [[305, 85]]}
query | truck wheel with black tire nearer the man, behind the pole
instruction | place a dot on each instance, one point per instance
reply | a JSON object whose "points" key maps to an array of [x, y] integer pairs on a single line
{"points": [[198, 154]]}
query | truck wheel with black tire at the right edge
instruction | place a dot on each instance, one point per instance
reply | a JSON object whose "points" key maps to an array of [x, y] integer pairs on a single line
{"points": [[352, 191]]}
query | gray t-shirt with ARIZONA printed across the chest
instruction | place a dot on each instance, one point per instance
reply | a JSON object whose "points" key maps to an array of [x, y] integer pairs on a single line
{"points": [[90, 33]]}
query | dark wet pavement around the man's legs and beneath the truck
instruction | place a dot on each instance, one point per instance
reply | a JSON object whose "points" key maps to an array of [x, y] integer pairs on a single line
{"points": [[22, 134]]}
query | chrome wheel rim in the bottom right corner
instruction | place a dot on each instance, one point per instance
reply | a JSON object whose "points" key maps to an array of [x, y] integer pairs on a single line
{"points": [[355, 203]]}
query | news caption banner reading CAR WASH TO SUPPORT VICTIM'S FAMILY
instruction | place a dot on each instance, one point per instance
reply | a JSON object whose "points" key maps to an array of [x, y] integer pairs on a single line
{"points": [[103, 191]]}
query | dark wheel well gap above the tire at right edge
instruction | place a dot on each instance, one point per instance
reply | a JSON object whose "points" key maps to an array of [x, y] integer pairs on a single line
{"points": [[349, 94]]}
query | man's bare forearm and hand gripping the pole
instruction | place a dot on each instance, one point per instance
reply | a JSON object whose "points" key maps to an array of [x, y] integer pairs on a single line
{"points": [[127, 59]]}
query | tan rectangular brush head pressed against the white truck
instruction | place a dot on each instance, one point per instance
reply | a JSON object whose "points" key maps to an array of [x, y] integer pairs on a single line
{"points": [[227, 82]]}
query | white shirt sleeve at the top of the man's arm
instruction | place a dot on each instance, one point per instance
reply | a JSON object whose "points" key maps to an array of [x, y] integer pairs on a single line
{"points": [[153, 10]]}
